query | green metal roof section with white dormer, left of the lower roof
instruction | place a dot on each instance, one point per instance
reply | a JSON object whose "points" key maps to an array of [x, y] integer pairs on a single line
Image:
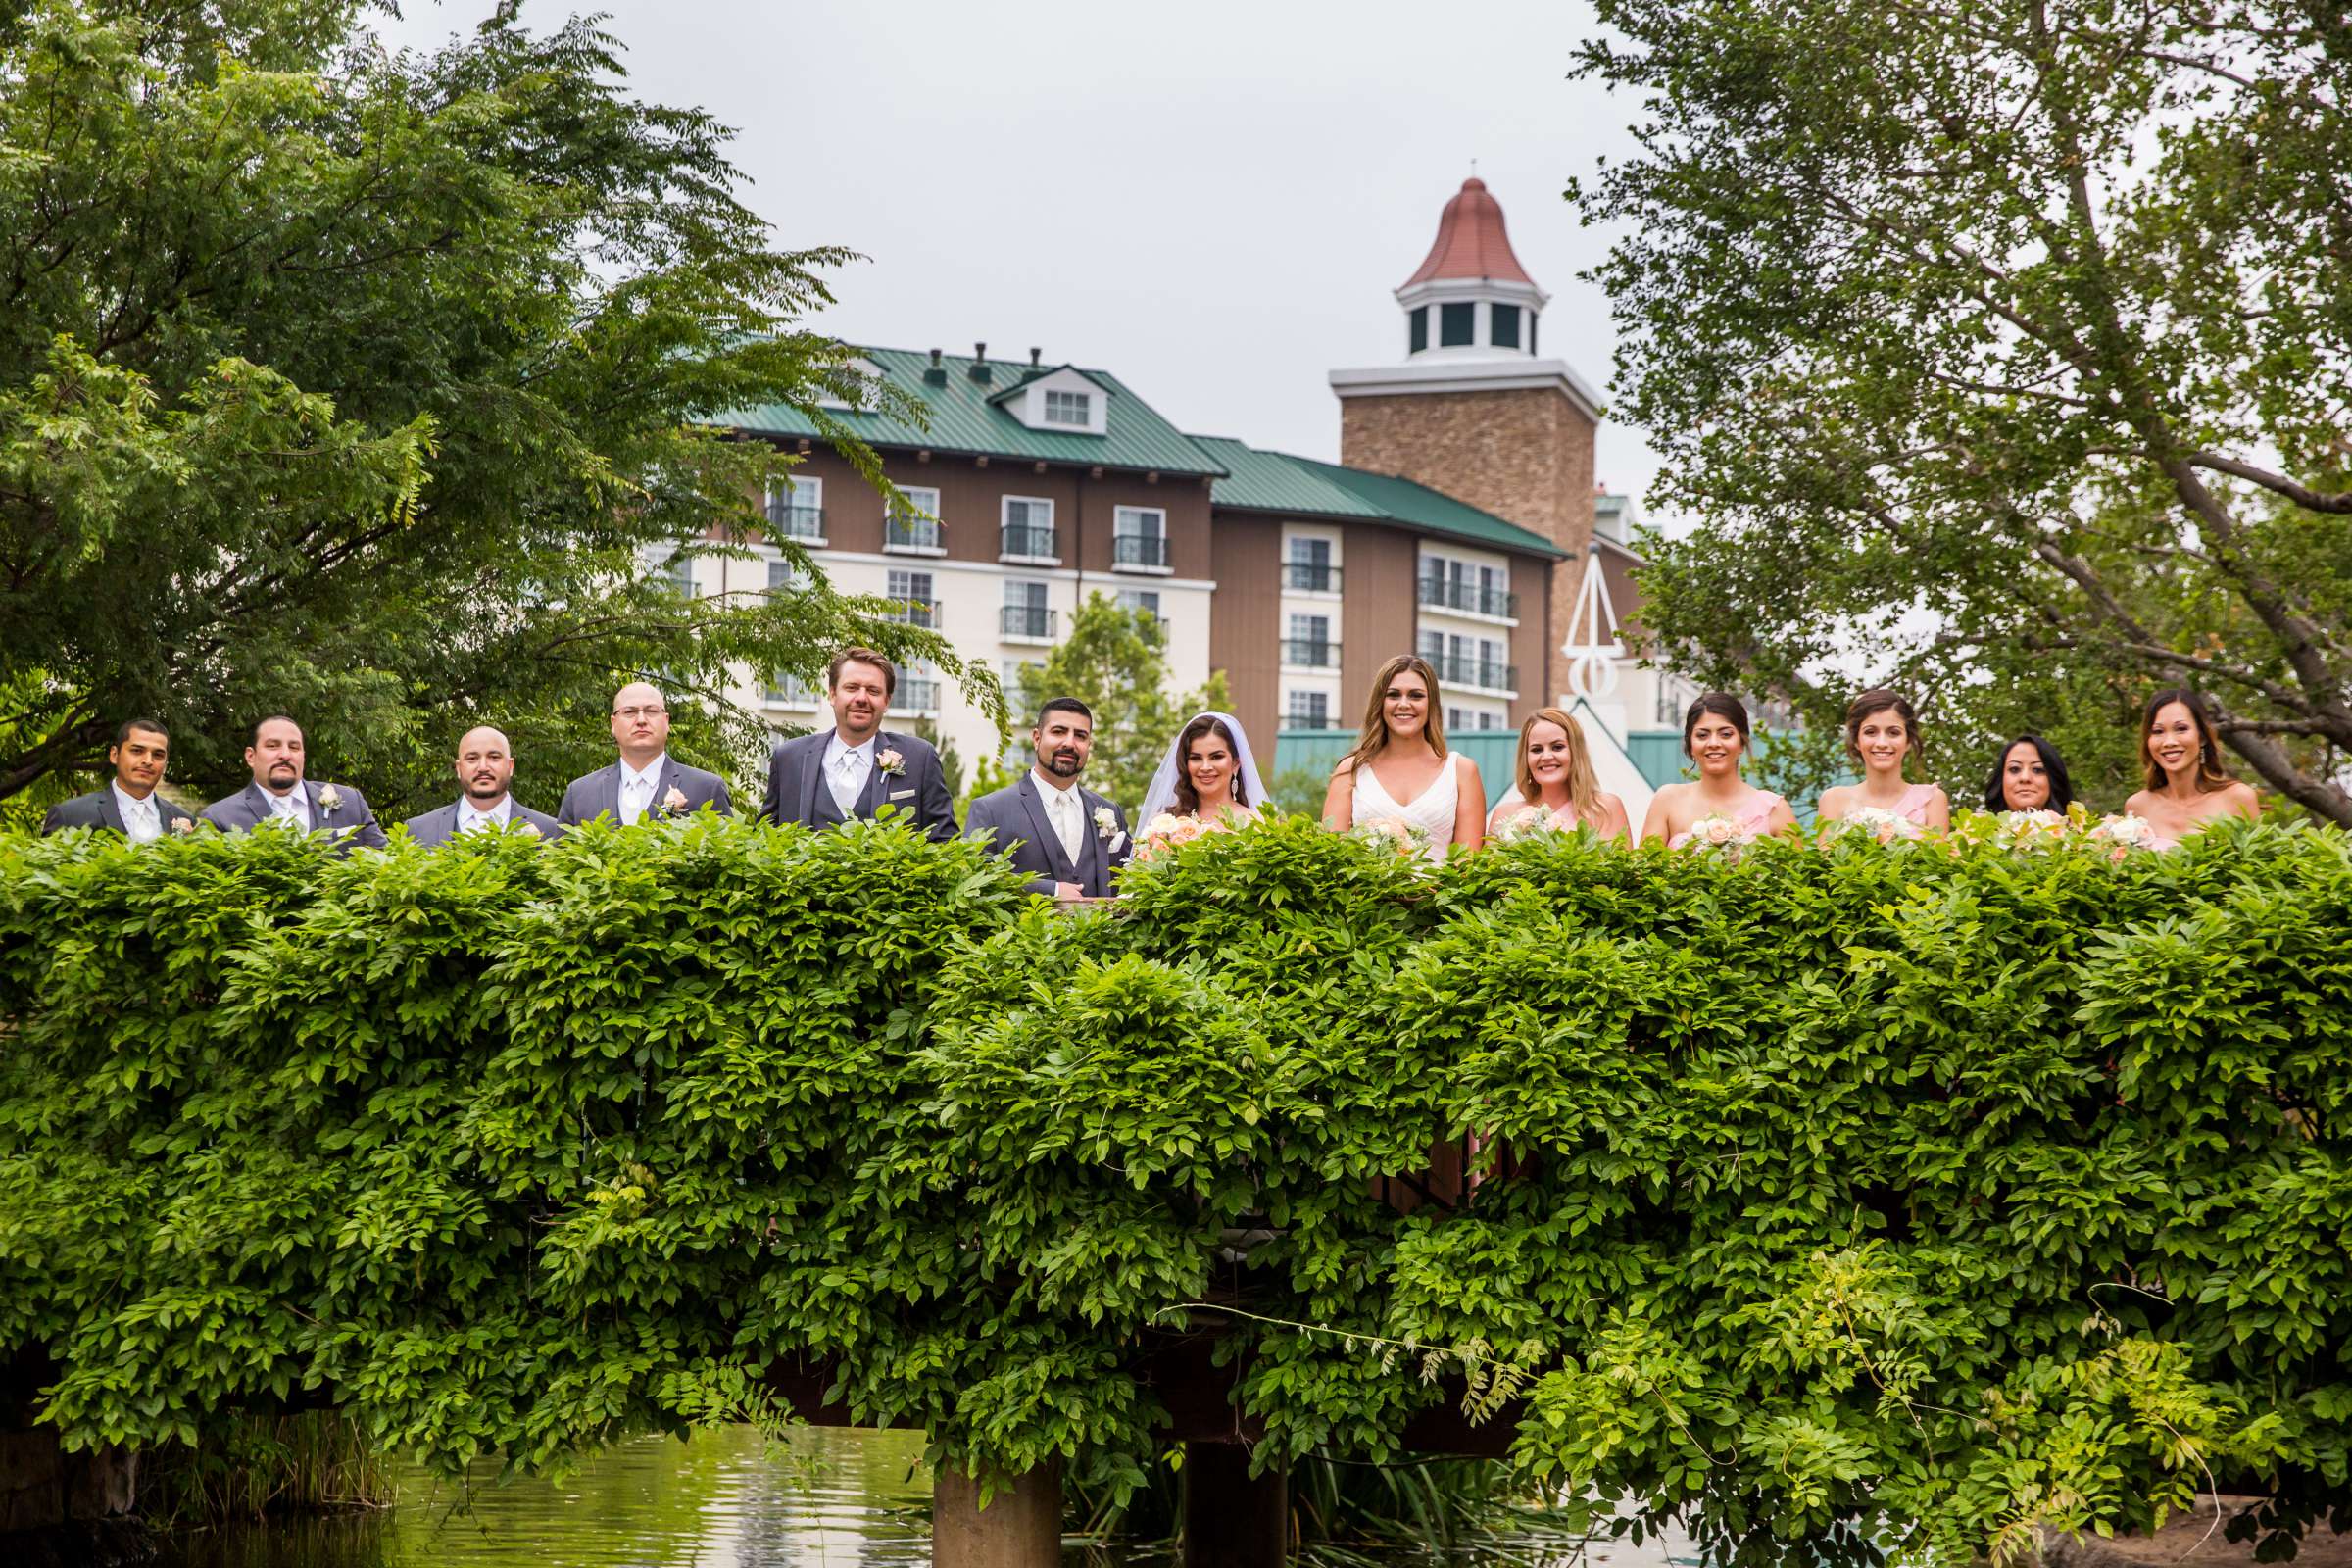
{"points": [[965, 420]]}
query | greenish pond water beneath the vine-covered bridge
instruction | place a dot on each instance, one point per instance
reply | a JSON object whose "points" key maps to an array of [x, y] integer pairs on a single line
{"points": [[836, 1499]]}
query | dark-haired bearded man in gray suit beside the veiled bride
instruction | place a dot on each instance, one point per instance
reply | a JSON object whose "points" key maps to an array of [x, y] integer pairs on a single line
{"points": [[1069, 838]]}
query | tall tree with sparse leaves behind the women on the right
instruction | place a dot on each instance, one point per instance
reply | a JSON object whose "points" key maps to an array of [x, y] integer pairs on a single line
{"points": [[2005, 354]]}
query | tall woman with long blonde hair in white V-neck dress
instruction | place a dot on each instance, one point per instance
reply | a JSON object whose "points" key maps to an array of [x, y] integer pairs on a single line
{"points": [[1401, 770]]}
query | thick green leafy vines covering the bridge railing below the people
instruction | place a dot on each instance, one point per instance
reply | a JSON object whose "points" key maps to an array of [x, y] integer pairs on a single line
{"points": [[1932, 1188]]}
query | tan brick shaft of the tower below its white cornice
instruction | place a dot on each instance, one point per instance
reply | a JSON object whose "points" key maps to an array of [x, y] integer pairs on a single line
{"points": [[1523, 455]]}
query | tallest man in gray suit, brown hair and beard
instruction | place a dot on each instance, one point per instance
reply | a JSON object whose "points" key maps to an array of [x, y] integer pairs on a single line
{"points": [[857, 768]]}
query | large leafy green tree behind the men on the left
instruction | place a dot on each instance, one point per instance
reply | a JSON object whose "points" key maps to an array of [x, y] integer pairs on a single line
{"points": [[363, 387]]}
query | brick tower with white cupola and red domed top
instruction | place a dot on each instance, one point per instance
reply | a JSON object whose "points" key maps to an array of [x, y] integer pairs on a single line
{"points": [[1474, 410]]}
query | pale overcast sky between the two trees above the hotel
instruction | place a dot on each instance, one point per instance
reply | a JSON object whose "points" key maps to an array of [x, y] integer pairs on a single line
{"points": [[1210, 201]]}
